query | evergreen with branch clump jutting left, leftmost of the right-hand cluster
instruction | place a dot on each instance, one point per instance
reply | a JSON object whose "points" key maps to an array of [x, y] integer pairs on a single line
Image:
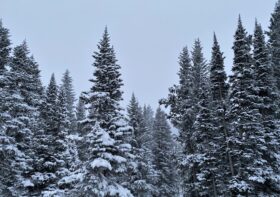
{"points": [[182, 115]]}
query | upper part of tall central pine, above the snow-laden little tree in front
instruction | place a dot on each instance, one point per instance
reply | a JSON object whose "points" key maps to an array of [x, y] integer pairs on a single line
{"points": [[107, 83]]}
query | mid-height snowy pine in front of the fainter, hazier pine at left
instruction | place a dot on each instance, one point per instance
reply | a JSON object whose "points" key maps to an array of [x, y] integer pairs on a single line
{"points": [[52, 149]]}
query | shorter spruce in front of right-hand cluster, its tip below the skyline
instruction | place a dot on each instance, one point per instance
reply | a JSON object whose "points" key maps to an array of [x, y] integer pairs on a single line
{"points": [[204, 158]]}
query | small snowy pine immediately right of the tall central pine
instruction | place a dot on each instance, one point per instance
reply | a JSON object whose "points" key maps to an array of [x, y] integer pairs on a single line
{"points": [[140, 181]]}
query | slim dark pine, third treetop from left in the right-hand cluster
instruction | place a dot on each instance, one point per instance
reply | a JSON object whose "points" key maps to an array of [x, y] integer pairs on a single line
{"points": [[218, 95]]}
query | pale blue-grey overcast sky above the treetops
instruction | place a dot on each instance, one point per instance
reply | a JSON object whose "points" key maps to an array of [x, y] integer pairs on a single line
{"points": [[147, 35]]}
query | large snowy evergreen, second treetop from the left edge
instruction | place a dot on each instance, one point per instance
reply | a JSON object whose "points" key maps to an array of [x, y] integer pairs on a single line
{"points": [[22, 111]]}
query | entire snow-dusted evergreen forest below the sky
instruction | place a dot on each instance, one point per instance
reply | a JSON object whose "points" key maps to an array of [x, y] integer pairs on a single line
{"points": [[54, 143]]}
